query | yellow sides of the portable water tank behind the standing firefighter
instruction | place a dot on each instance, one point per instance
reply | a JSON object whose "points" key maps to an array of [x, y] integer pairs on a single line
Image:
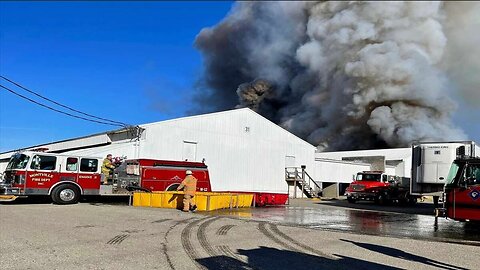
{"points": [[205, 201]]}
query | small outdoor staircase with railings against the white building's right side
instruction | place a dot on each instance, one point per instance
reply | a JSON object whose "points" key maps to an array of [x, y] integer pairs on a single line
{"points": [[298, 178]]}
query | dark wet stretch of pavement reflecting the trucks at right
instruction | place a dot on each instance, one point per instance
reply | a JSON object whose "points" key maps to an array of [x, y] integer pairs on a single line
{"points": [[394, 221]]}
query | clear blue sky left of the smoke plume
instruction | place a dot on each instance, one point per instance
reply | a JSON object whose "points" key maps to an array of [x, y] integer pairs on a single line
{"points": [[127, 61]]}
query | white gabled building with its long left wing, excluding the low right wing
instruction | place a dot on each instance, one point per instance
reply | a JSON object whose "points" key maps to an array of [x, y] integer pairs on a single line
{"points": [[243, 150]]}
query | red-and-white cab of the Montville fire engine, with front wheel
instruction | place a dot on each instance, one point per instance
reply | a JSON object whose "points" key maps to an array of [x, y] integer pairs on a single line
{"points": [[64, 178]]}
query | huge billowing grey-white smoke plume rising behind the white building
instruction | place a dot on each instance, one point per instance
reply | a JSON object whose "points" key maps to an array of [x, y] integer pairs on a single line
{"points": [[343, 75]]}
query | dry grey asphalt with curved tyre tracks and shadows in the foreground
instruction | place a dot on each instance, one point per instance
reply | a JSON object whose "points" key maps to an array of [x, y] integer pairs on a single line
{"points": [[113, 235]]}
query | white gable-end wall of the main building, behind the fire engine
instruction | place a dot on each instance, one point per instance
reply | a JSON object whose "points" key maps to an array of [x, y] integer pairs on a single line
{"points": [[244, 151]]}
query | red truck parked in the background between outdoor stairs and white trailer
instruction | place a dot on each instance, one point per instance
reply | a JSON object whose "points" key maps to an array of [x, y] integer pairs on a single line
{"points": [[379, 187]]}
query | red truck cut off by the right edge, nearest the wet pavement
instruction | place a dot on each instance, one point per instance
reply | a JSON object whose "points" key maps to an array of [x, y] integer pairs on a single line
{"points": [[462, 191]]}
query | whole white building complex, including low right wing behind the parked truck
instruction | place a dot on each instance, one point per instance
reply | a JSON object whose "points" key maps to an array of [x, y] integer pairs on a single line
{"points": [[243, 151]]}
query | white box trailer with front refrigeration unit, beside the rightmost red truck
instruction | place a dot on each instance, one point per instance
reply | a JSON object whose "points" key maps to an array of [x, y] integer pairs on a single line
{"points": [[431, 163]]}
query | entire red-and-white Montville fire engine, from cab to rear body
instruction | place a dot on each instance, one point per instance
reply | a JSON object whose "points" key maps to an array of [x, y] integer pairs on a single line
{"points": [[65, 178]]}
